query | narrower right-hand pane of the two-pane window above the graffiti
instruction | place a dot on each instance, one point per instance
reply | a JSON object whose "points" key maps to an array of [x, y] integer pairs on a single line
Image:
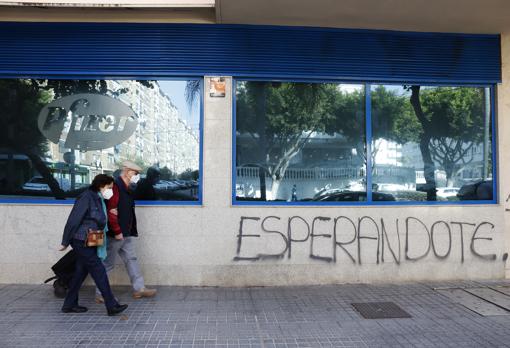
{"points": [[432, 143]]}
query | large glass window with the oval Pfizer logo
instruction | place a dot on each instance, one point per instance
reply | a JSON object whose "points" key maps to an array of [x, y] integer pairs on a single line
{"points": [[56, 135]]}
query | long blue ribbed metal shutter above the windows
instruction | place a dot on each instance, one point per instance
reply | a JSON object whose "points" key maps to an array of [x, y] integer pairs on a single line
{"points": [[145, 50]]}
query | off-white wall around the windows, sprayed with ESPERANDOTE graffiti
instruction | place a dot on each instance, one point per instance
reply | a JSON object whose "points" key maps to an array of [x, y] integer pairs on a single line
{"points": [[198, 245]]}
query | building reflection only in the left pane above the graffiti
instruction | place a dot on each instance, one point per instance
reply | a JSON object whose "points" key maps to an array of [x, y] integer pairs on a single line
{"points": [[324, 162]]}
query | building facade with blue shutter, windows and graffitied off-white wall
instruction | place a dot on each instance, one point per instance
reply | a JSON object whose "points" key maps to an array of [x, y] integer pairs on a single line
{"points": [[338, 190]]}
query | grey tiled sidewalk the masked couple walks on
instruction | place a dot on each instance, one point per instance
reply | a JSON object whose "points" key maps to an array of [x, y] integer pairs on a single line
{"points": [[311, 316]]}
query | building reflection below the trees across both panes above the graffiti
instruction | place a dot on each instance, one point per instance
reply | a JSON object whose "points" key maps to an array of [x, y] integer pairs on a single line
{"points": [[333, 160]]}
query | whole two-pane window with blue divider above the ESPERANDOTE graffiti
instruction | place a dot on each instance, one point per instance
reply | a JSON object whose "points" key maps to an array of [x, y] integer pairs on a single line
{"points": [[307, 142]]}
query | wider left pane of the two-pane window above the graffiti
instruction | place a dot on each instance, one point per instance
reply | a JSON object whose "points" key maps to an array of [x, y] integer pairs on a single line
{"points": [[300, 141]]}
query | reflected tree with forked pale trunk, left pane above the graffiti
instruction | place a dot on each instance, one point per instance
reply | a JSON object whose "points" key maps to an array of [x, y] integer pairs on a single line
{"points": [[280, 119]]}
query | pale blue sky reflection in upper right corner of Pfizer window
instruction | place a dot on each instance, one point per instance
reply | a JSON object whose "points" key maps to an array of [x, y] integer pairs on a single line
{"points": [[175, 90]]}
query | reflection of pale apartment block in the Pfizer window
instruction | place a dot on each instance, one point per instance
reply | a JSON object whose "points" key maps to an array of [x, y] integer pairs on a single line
{"points": [[161, 138]]}
